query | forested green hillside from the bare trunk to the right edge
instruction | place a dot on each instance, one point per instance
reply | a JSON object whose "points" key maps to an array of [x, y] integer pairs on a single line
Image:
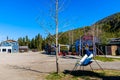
{"points": [[104, 29]]}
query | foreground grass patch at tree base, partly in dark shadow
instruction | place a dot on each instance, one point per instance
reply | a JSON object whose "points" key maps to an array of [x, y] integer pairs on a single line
{"points": [[85, 75]]}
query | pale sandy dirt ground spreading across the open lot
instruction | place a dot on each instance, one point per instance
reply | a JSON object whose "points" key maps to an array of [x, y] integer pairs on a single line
{"points": [[35, 66]]}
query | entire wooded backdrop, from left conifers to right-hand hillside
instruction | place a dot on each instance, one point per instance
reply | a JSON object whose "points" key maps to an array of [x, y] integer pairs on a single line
{"points": [[104, 29]]}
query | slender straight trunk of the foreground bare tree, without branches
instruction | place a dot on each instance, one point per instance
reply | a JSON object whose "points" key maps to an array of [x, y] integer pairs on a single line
{"points": [[56, 22]]}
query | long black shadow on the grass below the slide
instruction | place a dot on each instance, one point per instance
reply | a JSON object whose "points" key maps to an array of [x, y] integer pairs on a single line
{"points": [[81, 73]]}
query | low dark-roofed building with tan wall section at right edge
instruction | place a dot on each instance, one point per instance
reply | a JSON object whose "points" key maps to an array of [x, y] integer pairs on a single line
{"points": [[111, 48]]}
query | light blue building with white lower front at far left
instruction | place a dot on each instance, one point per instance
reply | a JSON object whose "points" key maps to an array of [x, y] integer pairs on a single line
{"points": [[9, 46]]}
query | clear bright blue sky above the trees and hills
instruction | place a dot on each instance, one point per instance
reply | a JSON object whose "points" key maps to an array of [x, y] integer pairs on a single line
{"points": [[18, 17]]}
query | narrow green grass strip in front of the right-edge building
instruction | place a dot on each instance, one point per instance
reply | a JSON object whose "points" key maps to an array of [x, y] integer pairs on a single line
{"points": [[106, 59]]}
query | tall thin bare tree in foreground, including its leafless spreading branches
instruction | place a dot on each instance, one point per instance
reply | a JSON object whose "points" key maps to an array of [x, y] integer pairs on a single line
{"points": [[55, 8]]}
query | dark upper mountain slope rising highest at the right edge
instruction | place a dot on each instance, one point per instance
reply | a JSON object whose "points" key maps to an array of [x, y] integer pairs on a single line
{"points": [[110, 23]]}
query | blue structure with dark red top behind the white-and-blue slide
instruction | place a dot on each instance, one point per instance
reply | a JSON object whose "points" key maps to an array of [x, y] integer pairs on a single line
{"points": [[86, 40]]}
